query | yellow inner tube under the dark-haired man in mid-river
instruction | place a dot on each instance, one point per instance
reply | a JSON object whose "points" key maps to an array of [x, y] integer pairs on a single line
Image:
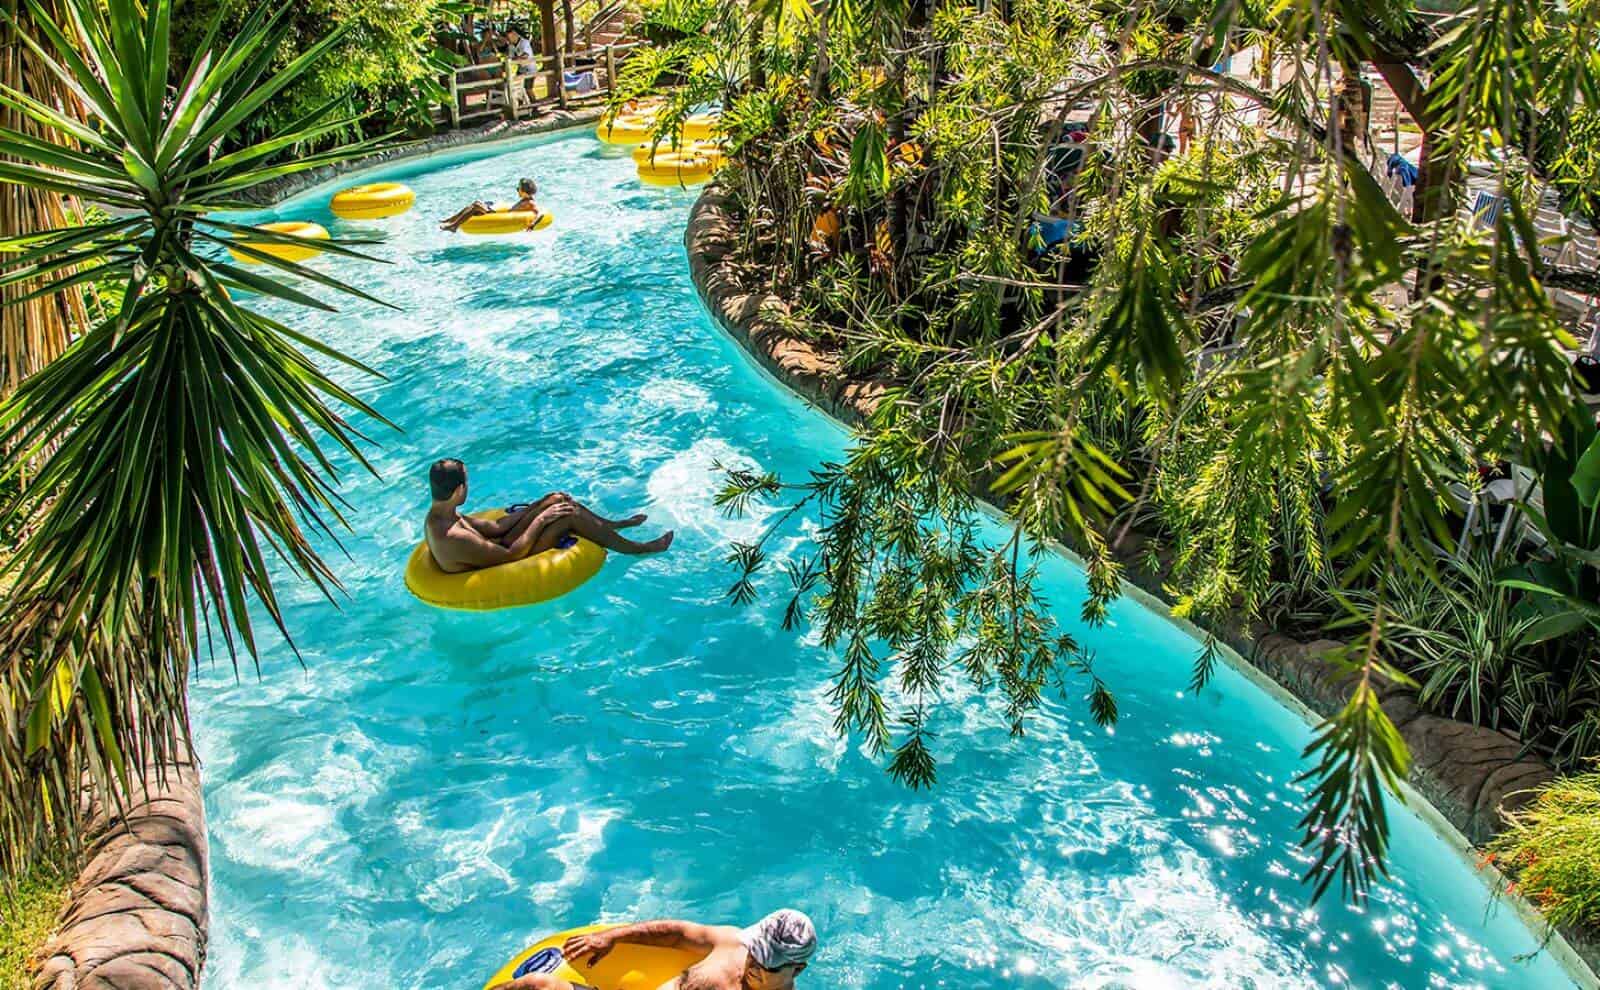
{"points": [[526, 581]]}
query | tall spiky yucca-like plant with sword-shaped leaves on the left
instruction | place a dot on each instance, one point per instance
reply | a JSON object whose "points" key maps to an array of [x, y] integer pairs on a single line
{"points": [[178, 442]]}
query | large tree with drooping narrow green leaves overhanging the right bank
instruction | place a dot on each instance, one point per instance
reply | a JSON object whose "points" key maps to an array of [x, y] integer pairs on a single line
{"points": [[1246, 356]]}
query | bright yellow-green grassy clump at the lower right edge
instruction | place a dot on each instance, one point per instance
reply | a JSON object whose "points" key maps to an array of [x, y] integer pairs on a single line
{"points": [[1553, 850]]}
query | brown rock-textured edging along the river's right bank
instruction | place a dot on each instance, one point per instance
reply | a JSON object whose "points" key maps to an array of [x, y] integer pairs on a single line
{"points": [[1289, 671]]}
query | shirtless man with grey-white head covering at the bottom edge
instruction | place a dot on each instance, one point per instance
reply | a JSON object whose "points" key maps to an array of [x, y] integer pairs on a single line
{"points": [[769, 956]]}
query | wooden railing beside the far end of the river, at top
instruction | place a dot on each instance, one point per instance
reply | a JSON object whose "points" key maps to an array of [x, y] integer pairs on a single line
{"points": [[503, 89]]}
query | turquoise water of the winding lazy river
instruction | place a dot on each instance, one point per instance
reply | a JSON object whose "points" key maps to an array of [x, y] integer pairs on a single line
{"points": [[434, 791]]}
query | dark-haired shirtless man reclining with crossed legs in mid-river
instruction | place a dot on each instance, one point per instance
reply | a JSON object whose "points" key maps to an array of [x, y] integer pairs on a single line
{"points": [[466, 545]]}
